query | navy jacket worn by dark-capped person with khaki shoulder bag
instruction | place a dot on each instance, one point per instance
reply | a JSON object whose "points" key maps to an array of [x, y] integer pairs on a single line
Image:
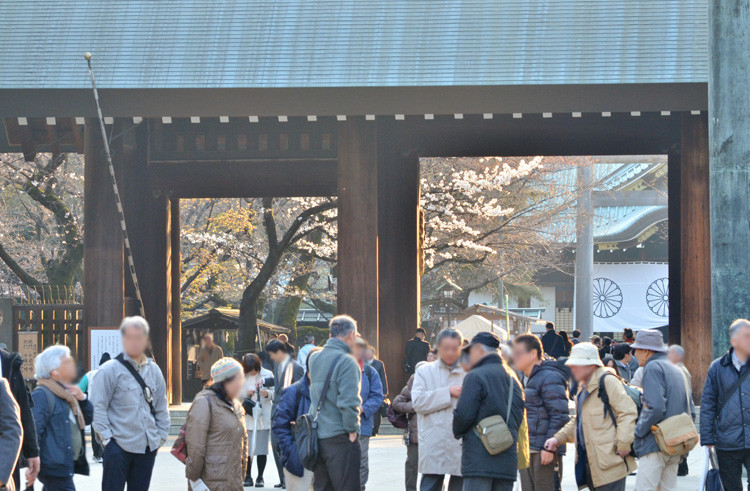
{"points": [[485, 393]]}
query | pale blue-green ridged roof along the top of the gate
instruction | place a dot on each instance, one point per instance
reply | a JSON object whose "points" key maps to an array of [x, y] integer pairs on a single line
{"points": [[354, 43]]}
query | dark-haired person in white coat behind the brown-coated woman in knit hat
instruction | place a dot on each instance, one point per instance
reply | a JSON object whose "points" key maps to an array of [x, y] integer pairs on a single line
{"points": [[256, 379]]}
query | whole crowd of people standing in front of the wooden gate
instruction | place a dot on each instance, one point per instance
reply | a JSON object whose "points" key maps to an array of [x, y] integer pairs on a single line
{"points": [[478, 413]]}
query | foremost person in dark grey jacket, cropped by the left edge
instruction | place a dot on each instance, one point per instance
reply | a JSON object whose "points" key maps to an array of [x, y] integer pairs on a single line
{"points": [[11, 435]]}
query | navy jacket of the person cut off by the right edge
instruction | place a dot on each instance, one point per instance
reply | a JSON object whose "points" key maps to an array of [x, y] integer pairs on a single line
{"points": [[726, 430]]}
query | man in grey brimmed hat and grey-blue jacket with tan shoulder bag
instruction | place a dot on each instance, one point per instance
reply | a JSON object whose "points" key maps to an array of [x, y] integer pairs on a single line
{"points": [[665, 394]]}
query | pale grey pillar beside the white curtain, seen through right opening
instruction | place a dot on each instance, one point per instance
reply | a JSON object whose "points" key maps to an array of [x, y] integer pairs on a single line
{"points": [[584, 286]]}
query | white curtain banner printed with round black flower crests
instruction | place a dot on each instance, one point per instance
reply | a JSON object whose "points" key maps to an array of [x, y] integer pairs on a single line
{"points": [[634, 295]]}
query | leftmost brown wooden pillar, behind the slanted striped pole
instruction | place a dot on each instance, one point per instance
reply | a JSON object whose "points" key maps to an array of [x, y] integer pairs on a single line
{"points": [[103, 245]]}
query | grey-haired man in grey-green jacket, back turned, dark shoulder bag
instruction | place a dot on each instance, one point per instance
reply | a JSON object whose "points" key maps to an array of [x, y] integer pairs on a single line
{"points": [[339, 453]]}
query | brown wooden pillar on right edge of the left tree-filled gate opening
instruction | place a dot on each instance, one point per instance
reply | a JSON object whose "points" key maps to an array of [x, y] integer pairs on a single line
{"points": [[358, 225]]}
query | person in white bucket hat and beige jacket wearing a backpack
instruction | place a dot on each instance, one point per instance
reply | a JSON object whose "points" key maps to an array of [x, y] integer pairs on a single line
{"points": [[603, 425]]}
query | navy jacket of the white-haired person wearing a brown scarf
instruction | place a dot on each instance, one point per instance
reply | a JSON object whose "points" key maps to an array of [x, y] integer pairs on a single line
{"points": [[53, 431]]}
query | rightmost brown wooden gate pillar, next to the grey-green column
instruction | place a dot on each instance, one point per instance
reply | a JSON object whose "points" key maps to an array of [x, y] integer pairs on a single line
{"points": [[695, 241]]}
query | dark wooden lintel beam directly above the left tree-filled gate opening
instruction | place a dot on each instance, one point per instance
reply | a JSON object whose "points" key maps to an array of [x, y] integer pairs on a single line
{"points": [[244, 179]]}
